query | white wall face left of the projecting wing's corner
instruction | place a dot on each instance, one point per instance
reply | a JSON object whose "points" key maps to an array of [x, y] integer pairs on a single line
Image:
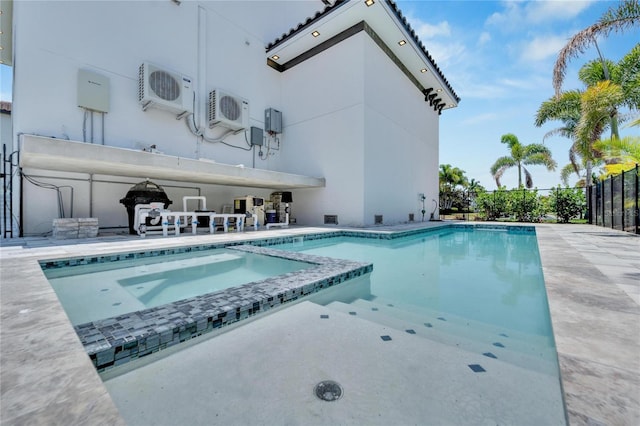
{"points": [[323, 97]]}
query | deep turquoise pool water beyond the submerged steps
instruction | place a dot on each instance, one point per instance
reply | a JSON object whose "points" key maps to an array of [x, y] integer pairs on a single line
{"points": [[485, 275]]}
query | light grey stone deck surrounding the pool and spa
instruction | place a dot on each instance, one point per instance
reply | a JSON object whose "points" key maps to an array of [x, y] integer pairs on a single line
{"points": [[592, 276]]}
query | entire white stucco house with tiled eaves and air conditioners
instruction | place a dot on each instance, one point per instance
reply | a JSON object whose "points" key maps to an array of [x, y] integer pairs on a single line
{"points": [[358, 94]]}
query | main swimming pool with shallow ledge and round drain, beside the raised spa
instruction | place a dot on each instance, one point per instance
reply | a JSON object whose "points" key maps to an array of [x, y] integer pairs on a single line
{"points": [[403, 357]]}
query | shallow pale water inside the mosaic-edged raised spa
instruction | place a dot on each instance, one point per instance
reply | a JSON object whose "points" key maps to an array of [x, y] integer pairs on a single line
{"points": [[104, 290]]}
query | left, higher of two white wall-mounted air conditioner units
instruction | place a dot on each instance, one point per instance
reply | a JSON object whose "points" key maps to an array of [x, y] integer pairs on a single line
{"points": [[160, 88]]}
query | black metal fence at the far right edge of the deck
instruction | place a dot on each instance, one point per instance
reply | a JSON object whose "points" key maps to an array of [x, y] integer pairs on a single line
{"points": [[613, 203]]}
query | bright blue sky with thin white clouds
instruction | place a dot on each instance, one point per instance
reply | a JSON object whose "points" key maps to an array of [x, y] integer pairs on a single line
{"points": [[498, 56]]}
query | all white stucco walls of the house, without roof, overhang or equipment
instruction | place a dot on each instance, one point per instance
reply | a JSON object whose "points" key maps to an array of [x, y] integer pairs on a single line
{"points": [[349, 114]]}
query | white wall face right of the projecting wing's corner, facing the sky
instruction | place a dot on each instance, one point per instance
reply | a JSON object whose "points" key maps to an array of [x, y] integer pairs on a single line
{"points": [[401, 142]]}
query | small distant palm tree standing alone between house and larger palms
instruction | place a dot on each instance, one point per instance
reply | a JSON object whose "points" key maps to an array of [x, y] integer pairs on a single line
{"points": [[521, 155]]}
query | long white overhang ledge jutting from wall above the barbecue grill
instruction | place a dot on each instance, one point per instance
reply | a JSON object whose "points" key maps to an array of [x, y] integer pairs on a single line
{"points": [[70, 156]]}
